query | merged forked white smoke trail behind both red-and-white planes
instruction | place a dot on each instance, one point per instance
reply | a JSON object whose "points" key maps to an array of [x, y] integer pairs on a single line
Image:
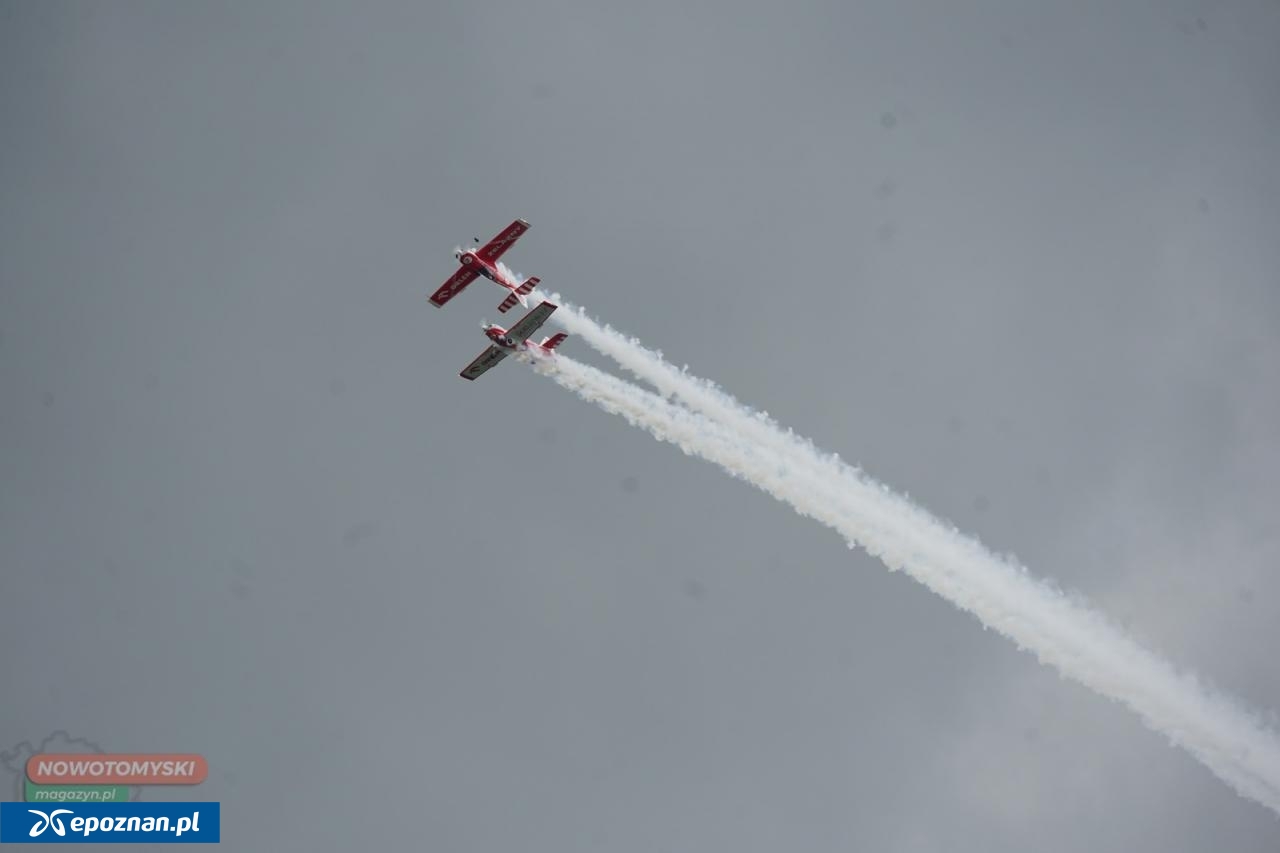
{"points": [[1067, 635]]}
